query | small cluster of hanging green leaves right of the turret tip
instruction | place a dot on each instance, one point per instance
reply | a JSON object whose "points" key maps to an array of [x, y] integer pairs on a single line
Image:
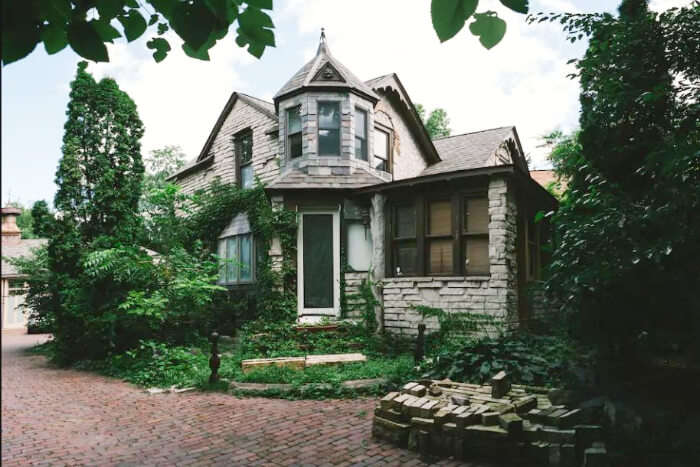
{"points": [[450, 16]]}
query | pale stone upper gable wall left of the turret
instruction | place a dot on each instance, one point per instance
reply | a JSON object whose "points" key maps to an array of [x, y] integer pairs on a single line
{"points": [[265, 163]]}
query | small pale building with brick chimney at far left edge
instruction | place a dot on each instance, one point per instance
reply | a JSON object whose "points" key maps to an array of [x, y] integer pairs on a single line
{"points": [[13, 284]]}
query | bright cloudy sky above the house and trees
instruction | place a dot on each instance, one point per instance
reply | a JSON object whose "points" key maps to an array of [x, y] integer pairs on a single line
{"points": [[522, 81]]}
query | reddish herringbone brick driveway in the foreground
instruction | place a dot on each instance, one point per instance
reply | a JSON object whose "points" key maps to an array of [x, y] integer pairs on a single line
{"points": [[68, 417]]}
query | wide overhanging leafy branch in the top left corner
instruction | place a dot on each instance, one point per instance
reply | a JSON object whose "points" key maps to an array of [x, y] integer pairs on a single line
{"points": [[88, 25]]}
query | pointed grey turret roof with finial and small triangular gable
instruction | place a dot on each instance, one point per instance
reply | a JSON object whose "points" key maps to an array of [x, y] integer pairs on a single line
{"points": [[325, 72]]}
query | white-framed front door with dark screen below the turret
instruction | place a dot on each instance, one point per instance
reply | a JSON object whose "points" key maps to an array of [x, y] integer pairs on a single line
{"points": [[318, 263]]}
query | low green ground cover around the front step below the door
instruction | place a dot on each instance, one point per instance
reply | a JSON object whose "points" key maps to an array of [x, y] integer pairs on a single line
{"points": [[155, 364]]}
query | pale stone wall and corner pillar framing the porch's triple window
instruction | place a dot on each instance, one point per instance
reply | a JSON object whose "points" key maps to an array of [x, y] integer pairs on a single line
{"points": [[493, 295]]}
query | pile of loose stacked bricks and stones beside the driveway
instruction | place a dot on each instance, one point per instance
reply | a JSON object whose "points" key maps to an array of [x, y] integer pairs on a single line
{"points": [[513, 423]]}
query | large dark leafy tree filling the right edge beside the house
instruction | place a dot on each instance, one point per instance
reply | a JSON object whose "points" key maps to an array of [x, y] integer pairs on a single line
{"points": [[625, 263]]}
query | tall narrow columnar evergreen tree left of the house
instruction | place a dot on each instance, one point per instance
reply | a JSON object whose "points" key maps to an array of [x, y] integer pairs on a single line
{"points": [[99, 185]]}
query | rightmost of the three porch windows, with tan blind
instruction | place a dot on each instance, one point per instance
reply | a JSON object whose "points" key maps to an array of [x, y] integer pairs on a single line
{"points": [[476, 235]]}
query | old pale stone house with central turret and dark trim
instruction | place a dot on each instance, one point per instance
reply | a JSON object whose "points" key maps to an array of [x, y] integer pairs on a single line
{"points": [[445, 223]]}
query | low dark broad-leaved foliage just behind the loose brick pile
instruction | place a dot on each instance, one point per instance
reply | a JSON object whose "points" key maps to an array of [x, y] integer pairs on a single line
{"points": [[528, 359]]}
